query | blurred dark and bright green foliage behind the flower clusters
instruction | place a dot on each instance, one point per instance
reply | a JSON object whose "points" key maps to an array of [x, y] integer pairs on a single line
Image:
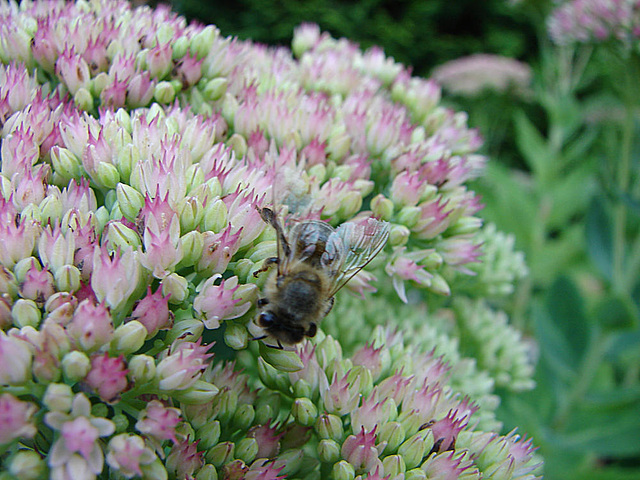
{"points": [[563, 178]]}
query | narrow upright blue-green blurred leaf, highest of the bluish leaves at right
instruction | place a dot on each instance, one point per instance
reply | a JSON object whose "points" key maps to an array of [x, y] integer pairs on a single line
{"points": [[600, 237]]}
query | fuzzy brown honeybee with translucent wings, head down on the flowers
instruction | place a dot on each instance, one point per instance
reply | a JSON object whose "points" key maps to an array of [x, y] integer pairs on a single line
{"points": [[312, 265]]}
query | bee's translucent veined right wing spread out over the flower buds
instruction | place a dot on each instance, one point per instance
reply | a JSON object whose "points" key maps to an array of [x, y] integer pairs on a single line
{"points": [[361, 242]]}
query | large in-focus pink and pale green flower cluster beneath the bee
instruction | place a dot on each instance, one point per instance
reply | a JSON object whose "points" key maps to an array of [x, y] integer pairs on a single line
{"points": [[136, 150]]}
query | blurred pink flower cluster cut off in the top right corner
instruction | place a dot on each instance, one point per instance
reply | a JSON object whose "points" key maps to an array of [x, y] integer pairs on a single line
{"points": [[587, 21]]}
